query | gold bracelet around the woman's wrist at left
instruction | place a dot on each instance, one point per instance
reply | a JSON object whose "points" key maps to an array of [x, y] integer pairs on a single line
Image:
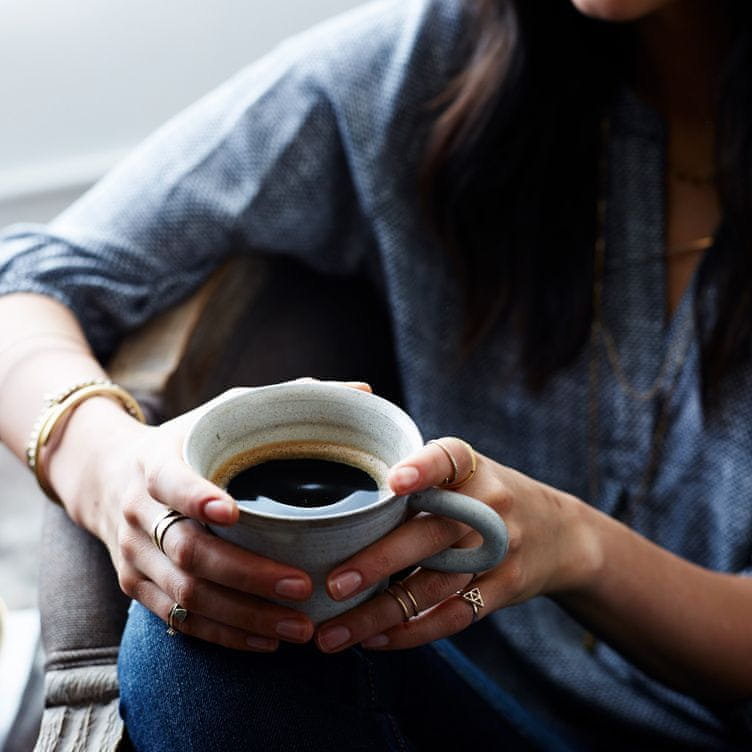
{"points": [[58, 407]]}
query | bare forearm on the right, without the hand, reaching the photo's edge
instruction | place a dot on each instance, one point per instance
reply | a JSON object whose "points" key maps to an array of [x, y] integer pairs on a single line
{"points": [[687, 626]]}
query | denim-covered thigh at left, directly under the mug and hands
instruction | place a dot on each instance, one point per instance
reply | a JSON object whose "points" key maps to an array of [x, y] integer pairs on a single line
{"points": [[182, 693]]}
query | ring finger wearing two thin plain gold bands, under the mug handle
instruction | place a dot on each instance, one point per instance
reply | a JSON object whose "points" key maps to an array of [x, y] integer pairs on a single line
{"points": [[422, 590]]}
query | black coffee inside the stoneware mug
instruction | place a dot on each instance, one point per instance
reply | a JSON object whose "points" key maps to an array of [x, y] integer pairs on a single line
{"points": [[304, 483]]}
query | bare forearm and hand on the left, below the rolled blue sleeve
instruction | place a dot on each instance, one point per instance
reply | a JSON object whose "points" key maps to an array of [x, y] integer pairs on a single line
{"points": [[114, 475]]}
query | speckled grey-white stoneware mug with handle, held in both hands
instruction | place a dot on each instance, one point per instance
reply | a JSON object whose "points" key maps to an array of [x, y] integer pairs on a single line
{"points": [[247, 430]]}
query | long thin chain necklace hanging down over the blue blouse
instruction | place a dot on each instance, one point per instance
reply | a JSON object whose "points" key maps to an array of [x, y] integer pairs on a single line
{"points": [[665, 382]]}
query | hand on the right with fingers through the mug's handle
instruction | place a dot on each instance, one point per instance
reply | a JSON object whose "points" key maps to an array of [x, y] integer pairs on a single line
{"points": [[551, 550]]}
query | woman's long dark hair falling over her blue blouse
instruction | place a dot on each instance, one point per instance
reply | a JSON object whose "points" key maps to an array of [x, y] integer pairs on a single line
{"points": [[511, 171]]}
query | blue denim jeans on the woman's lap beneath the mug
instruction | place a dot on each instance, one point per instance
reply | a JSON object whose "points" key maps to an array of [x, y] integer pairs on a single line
{"points": [[180, 693]]}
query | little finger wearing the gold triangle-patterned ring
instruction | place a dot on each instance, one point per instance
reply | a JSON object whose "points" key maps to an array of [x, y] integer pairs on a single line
{"points": [[450, 616]]}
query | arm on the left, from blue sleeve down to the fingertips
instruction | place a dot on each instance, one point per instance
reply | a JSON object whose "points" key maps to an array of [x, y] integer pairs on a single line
{"points": [[213, 182]]}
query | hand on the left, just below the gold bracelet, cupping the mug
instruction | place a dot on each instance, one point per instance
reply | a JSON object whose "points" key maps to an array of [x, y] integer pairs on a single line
{"points": [[117, 478]]}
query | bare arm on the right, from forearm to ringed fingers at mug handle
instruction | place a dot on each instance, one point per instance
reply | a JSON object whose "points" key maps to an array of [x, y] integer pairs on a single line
{"points": [[687, 626]]}
